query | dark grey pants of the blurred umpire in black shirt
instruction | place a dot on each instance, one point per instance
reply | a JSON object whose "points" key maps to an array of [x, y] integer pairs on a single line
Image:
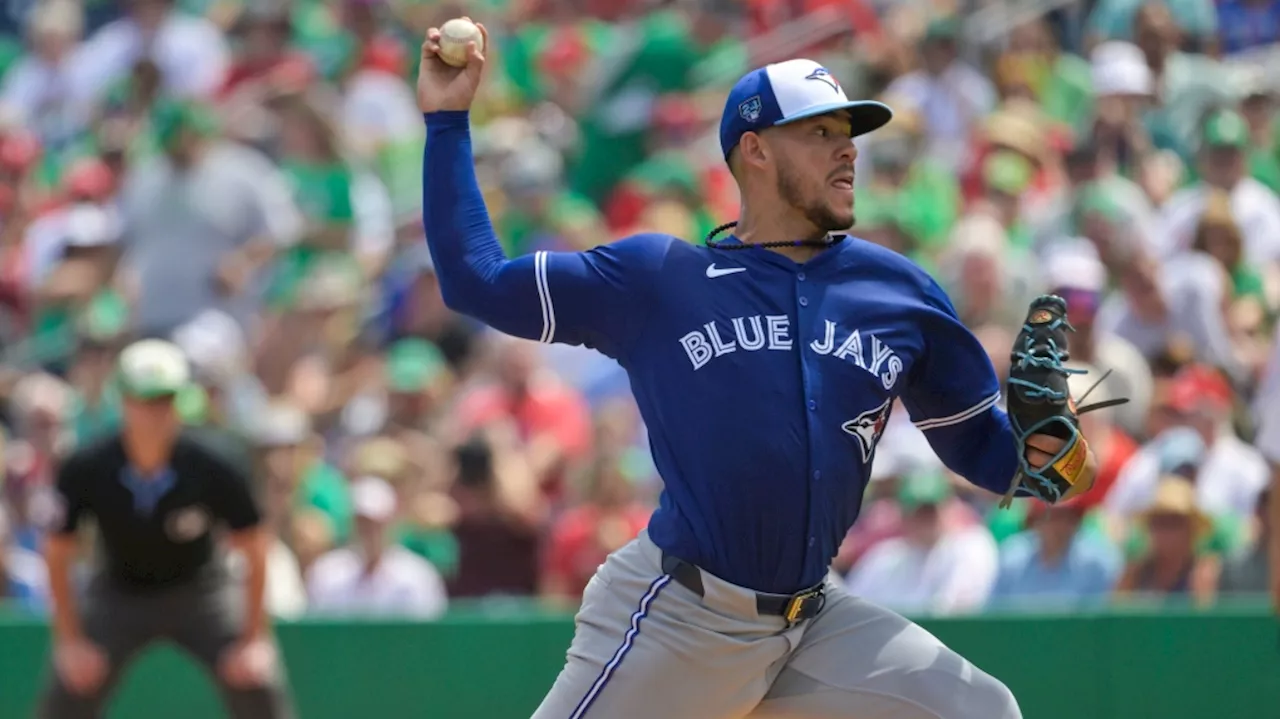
{"points": [[203, 617]]}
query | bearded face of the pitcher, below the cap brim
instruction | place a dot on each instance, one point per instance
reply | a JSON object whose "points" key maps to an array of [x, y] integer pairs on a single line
{"points": [[816, 170]]}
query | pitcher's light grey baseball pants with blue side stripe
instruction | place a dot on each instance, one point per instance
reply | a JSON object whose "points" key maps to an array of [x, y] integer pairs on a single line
{"points": [[647, 647]]}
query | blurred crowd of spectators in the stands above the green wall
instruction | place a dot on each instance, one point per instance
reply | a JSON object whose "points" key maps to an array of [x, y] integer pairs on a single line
{"points": [[243, 177]]}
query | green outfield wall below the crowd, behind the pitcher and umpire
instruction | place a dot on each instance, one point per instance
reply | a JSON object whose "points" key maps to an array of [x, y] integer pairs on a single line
{"points": [[497, 665]]}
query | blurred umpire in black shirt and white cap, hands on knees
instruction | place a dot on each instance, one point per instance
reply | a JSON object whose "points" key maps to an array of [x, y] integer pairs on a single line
{"points": [[159, 494]]}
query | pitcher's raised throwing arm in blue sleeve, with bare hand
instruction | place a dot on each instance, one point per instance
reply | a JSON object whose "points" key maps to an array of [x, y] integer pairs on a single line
{"points": [[595, 299]]}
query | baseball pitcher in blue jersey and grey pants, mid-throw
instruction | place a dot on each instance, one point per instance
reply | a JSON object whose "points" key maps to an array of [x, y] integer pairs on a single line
{"points": [[766, 367]]}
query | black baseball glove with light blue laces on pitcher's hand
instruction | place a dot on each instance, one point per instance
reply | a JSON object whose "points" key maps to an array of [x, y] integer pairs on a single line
{"points": [[1040, 404]]}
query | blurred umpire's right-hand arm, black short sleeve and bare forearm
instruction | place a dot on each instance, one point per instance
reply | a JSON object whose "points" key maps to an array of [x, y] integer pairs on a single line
{"points": [[236, 506]]}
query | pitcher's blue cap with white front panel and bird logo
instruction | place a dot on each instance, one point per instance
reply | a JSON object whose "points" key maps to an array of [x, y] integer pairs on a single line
{"points": [[790, 91]]}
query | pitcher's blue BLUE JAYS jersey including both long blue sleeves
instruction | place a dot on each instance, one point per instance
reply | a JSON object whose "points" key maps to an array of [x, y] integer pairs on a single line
{"points": [[765, 383]]}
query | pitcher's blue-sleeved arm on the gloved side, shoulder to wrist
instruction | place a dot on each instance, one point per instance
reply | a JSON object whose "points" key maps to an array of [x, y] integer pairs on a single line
{"points": [[953, 396]]}
